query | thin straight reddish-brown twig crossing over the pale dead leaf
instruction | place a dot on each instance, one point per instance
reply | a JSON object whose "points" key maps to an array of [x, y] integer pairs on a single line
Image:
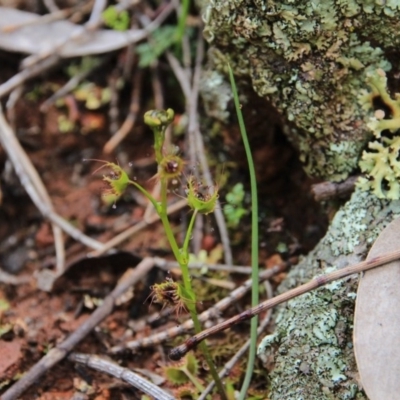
{"points": [[178, 352]]}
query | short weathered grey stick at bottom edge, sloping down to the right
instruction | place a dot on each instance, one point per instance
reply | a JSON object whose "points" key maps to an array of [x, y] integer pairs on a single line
{"points": [[125, 374]]}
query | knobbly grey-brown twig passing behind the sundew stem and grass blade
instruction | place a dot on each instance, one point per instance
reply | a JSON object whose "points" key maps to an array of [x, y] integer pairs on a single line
{"points": [[214, 311]]}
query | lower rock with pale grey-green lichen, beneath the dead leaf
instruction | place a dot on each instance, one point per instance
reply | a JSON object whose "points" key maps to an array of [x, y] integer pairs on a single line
{"points": [[312, 344]]}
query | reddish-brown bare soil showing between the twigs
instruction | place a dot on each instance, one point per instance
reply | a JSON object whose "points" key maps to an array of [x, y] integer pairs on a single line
{"points": [[35, 321]]}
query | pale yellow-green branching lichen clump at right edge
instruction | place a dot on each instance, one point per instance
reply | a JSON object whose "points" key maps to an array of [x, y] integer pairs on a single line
{"points": [[381, 161]]}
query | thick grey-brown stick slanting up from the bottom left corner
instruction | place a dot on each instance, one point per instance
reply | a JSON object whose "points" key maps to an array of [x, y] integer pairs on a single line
{"points": [[58, 353]]}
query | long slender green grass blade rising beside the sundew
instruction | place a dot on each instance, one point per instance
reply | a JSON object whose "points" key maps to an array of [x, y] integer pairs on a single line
{"points": [[254, 240]]}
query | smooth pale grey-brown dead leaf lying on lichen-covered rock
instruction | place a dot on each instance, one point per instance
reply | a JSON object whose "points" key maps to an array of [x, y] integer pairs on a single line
{"points": [[377, 321]]}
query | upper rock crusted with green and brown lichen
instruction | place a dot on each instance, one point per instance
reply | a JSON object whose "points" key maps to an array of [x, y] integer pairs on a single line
{"points": [[310, 59]]}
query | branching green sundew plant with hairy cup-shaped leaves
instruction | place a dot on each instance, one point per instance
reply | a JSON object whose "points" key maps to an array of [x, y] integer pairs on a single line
{"points": [[201, 199]]}
